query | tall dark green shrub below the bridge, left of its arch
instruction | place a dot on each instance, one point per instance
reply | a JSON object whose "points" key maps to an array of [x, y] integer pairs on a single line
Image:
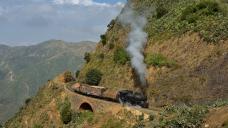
{"points": [[65, 112]]}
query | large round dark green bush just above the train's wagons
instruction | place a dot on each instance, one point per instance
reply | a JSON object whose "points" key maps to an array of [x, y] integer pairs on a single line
{"points": [[93, 77]]}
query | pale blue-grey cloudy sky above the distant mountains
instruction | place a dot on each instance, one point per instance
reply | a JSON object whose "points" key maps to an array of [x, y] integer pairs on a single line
{"points": [[28, 22]]}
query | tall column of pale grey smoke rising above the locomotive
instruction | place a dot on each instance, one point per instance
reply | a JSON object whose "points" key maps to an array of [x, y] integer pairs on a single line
{"points": [[137, 39]]}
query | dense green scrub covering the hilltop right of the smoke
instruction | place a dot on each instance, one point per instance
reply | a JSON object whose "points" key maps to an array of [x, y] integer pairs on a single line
{"points": [[176, 17]]}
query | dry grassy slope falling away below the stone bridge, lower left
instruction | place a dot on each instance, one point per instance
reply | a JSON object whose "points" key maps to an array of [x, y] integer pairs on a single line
{"points": [[51, 106]]}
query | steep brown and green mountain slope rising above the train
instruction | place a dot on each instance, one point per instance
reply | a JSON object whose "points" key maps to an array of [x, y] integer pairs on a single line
{"points": [[186, 52]]}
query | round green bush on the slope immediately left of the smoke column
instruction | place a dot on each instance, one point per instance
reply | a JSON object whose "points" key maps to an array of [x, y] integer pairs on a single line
{"points": [[121, 56]]}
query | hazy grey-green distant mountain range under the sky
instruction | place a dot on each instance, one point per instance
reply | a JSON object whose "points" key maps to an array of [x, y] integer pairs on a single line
{"points": [[24, 68]]}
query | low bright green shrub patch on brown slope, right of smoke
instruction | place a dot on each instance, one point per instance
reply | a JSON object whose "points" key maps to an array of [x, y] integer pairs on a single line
{"points": [[158, 60]]}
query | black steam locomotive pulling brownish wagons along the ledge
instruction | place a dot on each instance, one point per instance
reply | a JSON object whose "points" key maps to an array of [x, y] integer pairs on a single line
{"points": [[125, 97]]}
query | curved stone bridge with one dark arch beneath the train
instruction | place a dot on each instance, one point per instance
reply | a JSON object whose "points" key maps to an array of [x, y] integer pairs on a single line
{"points": [[81, 102]]}
